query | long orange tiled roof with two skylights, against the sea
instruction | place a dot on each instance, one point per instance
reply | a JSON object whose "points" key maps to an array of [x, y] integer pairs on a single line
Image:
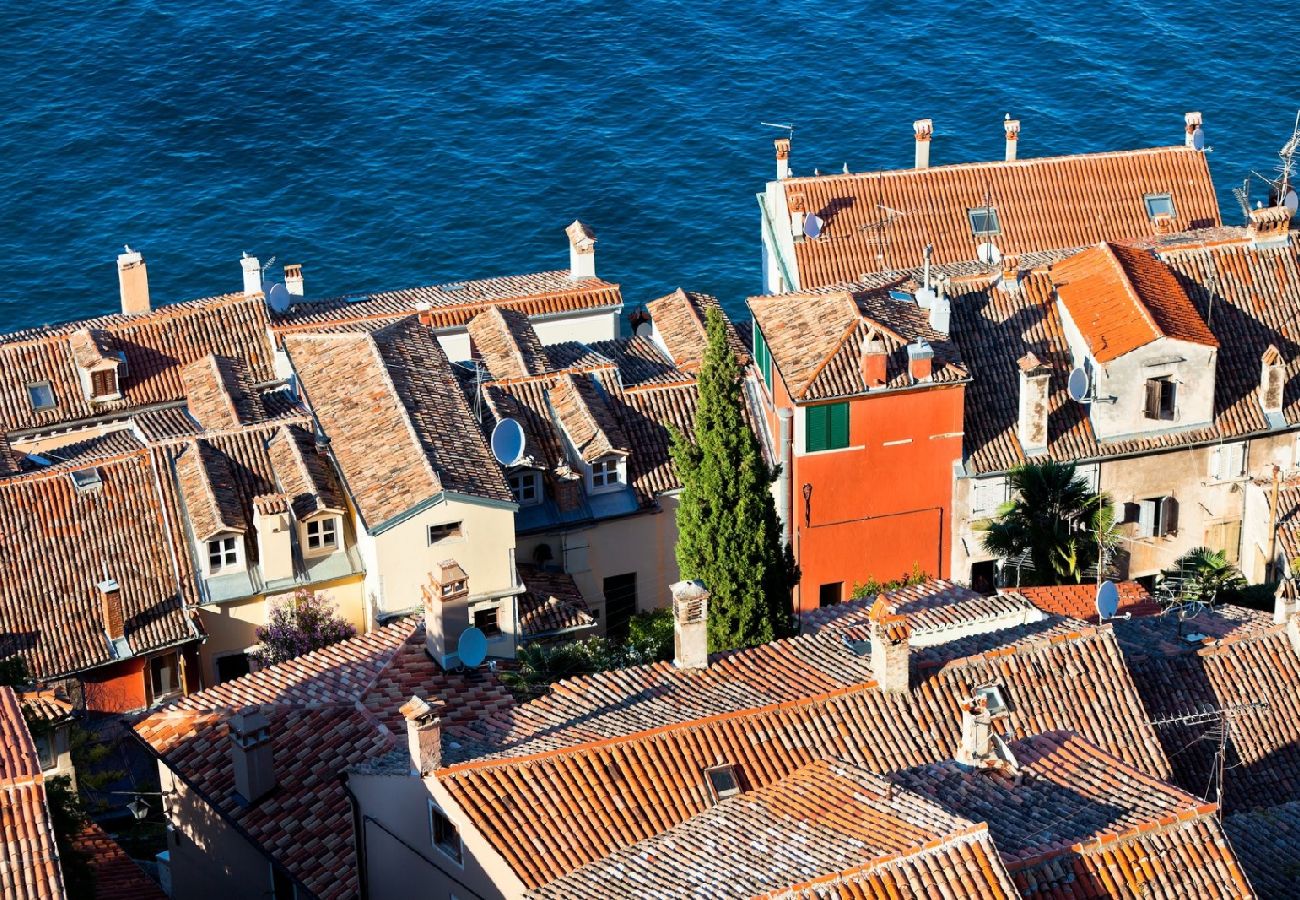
{"points": [[882, 222]]}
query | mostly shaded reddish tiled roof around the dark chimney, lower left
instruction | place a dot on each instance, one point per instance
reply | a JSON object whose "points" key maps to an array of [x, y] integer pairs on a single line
{"points": [[330, 711]]}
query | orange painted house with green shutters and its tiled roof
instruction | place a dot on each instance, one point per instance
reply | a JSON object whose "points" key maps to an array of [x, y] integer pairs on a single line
{"points": [[864, 396]]}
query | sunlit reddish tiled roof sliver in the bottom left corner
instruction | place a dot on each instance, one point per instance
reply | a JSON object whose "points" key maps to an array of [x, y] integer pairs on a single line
{"points": [[29, 858]]}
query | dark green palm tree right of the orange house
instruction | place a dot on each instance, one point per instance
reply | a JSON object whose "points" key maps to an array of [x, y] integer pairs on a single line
{"points": [[1056, 527]]}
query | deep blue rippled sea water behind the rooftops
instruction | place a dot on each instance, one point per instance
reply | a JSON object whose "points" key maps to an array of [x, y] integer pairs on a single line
{"points": [[397, 144]]}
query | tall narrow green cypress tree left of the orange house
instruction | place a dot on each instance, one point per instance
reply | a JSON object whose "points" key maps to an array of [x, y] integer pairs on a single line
{"points": [[729, 535]]}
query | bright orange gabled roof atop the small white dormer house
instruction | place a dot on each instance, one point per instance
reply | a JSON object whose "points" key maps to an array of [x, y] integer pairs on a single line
{"points": [[1123, 300]]}
